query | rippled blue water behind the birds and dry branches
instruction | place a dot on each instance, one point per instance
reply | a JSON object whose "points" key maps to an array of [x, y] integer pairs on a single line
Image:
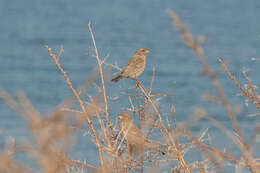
{"points": [[231, 29]]}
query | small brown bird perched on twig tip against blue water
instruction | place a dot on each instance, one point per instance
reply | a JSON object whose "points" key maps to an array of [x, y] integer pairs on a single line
{"points": [[135, 66]]}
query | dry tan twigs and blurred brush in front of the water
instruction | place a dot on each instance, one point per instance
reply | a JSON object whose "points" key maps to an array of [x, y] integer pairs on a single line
{"points": [[53, 133]]}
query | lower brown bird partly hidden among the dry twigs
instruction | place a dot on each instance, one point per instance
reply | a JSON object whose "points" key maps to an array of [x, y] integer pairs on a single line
{"points": [[135, 140]]}
